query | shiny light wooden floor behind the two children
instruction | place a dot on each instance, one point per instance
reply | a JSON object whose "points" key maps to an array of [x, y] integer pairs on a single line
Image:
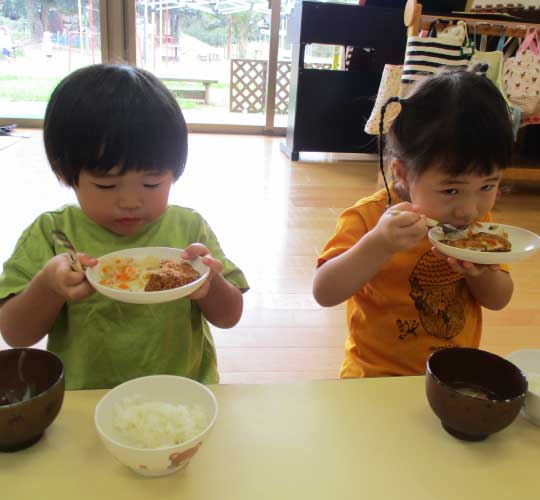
{"points": [[272, 218]]}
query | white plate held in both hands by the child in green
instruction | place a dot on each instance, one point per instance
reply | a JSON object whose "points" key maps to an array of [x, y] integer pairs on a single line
{"points": [[94, 273]]}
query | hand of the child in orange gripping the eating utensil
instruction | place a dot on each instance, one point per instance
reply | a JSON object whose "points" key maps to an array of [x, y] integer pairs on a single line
{"points": [[401, 231]]}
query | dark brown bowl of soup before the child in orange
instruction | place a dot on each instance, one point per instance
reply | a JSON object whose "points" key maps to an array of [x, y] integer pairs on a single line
{"points": [[473, 392]]}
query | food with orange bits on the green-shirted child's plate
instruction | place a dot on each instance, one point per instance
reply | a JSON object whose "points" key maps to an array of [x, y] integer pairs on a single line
{"points": [[149, 274]]}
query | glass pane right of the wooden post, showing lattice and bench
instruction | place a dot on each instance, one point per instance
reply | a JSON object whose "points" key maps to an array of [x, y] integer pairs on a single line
{"points": [[212, 54]]}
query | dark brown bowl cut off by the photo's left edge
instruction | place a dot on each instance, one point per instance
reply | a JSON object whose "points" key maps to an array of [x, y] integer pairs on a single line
{"points": [[28, 406]]}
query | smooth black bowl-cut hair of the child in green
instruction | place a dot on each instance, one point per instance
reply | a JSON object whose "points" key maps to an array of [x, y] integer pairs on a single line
{"points": [[106, 116]]}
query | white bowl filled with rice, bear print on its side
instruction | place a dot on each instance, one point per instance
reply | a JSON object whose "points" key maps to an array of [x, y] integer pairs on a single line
{"points": [[155, 425]]}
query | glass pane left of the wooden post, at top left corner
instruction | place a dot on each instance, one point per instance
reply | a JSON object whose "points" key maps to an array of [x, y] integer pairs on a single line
{"points": [[41, 41]]}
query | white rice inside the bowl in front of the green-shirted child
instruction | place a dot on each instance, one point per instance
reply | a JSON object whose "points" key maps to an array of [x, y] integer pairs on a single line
{"points": [[154, 424]]}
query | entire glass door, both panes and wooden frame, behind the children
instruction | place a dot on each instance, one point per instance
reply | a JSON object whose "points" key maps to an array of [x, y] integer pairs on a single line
{"points": [[219, 57]]}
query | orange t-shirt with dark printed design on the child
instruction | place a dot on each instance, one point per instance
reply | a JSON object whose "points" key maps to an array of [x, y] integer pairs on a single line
{"points": [[415, 305]]}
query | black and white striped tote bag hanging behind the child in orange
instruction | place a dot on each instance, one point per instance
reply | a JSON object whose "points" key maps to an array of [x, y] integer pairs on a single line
{"points": [[427, 56]]}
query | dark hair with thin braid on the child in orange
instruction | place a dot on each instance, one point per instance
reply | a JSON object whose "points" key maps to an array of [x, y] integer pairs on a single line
{"points": [[456, 120]]}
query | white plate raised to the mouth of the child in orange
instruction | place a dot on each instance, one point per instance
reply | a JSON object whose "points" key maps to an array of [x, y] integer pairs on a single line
{"points": [[524, 244]]}
